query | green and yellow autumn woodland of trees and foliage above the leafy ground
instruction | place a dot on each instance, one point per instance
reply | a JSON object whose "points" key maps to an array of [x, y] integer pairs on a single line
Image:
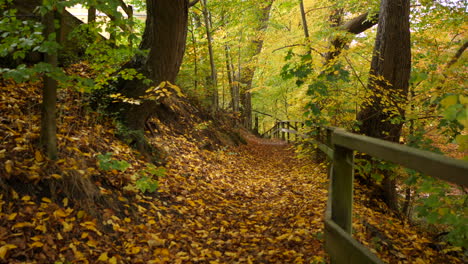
{"points": [[256, 62]]}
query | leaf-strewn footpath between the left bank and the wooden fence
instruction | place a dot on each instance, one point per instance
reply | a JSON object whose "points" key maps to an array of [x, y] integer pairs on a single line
{"points": [[256, 203]]}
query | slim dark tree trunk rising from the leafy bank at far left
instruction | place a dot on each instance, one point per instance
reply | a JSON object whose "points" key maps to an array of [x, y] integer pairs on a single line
{"points": [[48, 137]]}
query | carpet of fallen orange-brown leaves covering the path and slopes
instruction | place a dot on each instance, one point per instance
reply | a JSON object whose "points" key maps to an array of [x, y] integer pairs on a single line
{"points": [[256, 203]]}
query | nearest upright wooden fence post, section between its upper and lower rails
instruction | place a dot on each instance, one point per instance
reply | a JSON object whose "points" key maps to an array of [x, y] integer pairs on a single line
{"points": [[342, 187]]}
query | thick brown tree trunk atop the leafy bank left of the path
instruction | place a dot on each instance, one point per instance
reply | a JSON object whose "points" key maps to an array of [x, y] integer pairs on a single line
{"points": [[165, 35]]}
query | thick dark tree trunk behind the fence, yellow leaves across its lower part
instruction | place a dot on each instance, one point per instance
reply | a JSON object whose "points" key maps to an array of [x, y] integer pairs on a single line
{"points": [[383, 110]]}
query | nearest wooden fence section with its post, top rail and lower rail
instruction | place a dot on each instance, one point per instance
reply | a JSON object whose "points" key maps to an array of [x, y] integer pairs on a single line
{"points": [[339, 146]]}
